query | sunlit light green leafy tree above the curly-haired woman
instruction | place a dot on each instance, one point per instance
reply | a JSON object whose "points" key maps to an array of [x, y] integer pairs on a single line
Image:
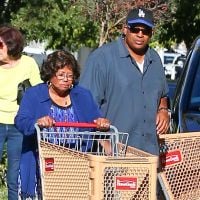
{"points": [[57, 22]]}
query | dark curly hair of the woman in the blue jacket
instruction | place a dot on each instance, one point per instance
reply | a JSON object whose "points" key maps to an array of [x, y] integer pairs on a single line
{"points": [[58, 60]]}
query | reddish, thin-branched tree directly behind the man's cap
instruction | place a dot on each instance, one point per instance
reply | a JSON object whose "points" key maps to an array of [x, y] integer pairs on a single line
{"points": [[110, 14]]}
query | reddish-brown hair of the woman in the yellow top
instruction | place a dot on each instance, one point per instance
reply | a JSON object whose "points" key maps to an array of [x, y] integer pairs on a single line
{"points": [[13, 39]]}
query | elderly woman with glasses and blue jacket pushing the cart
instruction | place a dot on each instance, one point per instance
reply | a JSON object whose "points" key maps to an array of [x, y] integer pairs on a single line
{"points": [[59, 98]]}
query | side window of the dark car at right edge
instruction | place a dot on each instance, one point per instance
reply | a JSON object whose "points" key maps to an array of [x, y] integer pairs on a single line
{"points": [[194, 103]]}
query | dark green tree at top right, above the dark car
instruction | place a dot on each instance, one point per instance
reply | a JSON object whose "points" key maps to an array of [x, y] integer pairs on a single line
{"points": [[184, 24]]}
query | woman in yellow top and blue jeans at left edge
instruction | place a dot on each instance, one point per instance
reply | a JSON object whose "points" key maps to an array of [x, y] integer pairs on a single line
{"points": [[14, 69]]}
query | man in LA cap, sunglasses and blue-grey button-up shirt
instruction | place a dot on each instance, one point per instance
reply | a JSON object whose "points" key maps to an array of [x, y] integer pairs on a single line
{"points": [[127, 80]]}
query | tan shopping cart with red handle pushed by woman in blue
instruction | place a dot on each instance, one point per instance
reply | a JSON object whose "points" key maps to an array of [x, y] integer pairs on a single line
{"points": [[91, 165]]}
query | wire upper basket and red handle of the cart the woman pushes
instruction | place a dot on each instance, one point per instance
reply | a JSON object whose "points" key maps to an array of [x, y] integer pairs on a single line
{"points": [[112, 143]]}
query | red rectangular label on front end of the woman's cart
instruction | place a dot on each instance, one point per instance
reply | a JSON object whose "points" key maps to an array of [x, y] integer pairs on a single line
{"points": [[125, 183]]}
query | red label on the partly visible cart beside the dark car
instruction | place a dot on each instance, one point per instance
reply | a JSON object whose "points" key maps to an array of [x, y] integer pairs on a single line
{"points": [[170, 158]]}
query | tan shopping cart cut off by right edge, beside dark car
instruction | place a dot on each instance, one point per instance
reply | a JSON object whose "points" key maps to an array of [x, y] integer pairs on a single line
{"points": [[180, 166]]}
